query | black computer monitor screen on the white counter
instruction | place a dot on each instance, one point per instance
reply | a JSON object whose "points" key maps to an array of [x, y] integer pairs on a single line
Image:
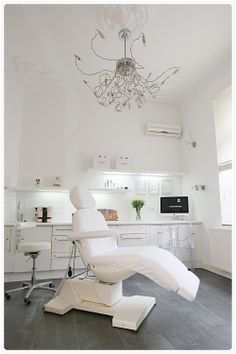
{"points": [[174, 205]]}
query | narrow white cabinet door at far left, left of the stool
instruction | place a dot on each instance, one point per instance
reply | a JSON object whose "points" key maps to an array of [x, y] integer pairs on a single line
{"points": [[9, 244]]}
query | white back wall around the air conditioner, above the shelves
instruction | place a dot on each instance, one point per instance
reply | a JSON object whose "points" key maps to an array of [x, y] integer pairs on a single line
{"points": [[62, 131]]}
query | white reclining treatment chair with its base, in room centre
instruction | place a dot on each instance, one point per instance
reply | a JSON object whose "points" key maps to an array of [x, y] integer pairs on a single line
{"points": [[110, 265]]}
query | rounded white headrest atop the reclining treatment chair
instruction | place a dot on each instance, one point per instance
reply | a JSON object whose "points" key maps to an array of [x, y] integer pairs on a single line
{"points": [[81, 198]]}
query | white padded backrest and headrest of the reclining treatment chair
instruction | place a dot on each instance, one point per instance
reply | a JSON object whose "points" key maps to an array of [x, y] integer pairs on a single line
{"points": [[87, 218]]}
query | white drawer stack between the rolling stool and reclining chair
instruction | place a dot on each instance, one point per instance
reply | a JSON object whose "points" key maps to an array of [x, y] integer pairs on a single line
{"points": [[61, 248]]}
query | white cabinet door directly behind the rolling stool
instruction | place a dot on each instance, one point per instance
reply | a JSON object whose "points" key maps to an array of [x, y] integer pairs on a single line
{"points": [[23, 263]]}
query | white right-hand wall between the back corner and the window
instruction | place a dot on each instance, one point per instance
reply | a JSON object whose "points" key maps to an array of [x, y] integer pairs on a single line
{"points": [[196, 110]]}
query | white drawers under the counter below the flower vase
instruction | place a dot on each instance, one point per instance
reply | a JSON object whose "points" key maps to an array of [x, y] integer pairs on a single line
{"points": [[132, 235]]}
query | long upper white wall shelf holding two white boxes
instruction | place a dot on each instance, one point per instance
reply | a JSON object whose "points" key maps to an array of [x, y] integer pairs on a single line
{"points": [[113, 171]]}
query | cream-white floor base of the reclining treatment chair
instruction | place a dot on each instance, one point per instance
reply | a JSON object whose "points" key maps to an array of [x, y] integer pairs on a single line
{"points": [[84, 295]]}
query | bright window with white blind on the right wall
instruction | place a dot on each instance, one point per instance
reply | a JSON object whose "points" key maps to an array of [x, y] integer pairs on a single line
{"points": [[223, 124]]}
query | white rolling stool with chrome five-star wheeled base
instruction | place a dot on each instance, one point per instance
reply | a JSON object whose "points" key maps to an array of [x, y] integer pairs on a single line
{"points": [[33, 250]]}
